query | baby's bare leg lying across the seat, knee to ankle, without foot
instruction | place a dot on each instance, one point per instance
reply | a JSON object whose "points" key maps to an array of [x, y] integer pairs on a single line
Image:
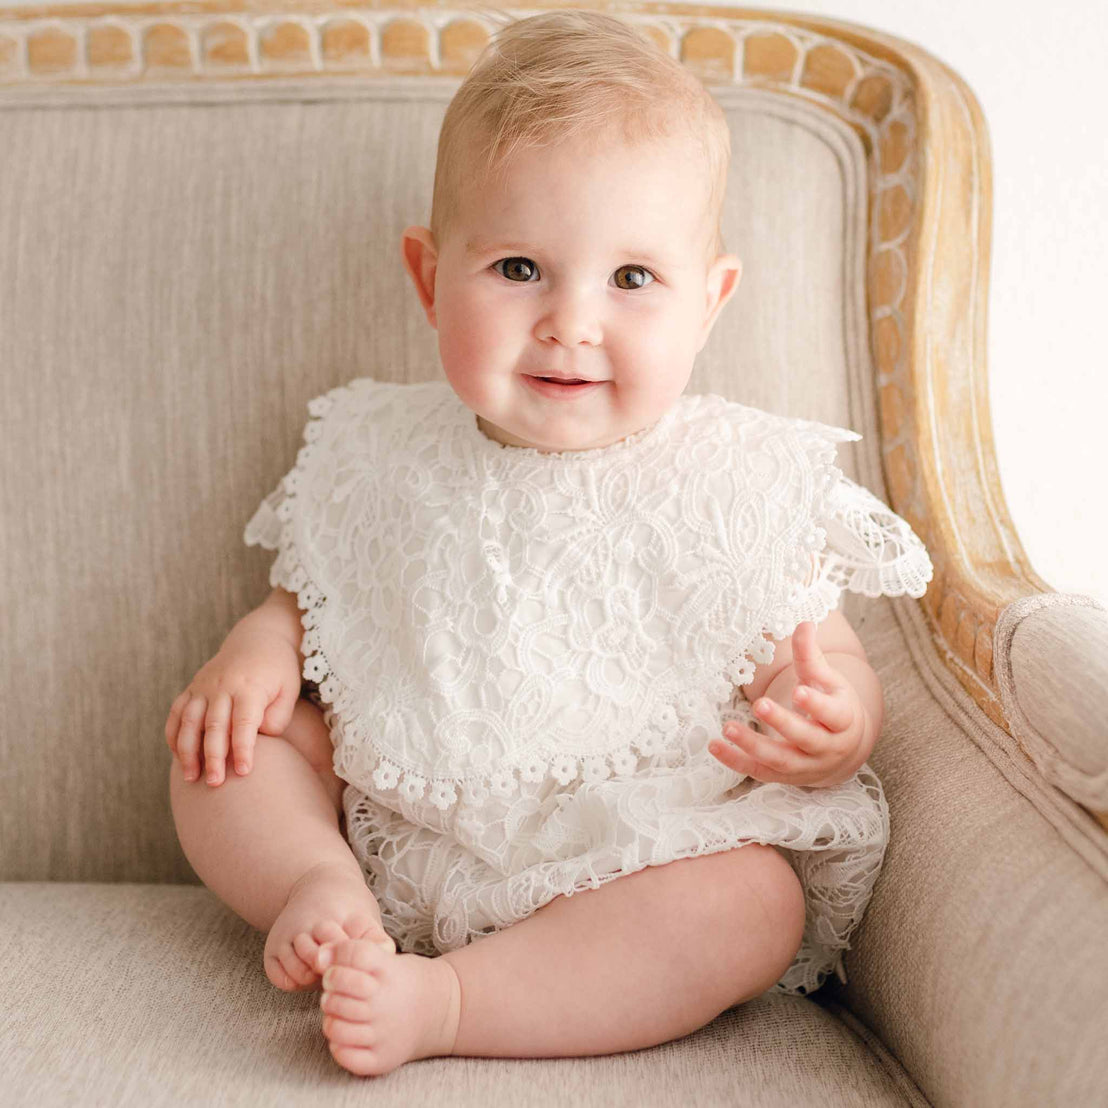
{"points": [[643, 960]]}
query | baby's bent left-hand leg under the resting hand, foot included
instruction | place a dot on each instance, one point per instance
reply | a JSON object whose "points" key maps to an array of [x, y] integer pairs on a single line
{"points": [[269, 846]]}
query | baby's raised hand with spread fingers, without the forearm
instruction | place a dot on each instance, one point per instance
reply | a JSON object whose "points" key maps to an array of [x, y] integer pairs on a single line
{"points": [[822, 743]]}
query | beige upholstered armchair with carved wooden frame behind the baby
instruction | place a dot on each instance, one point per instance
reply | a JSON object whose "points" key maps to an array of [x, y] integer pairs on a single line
{"points": [[200, 208]]}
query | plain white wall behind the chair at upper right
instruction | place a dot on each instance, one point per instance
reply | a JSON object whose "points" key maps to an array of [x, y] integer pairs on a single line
{"points": [[1039, 73]]}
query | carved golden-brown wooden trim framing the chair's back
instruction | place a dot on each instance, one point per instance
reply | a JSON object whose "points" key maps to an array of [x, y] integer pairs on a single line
{"points": [[929, 216]]}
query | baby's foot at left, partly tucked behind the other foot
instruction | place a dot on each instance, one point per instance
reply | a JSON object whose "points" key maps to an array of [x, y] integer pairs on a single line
{"points": [[327, 905]]}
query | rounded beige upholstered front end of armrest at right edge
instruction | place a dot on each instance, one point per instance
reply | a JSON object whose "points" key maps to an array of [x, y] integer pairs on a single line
{"points": [[1051, 660]]}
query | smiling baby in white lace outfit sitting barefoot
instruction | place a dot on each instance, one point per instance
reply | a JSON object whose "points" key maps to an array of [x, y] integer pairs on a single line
{"points": [[586, 763]]}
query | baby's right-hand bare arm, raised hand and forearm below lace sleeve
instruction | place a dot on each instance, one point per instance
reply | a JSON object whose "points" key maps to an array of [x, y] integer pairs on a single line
{"points": [[824, 674]]}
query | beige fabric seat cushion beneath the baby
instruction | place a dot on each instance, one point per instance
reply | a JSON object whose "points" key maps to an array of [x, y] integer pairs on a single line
{"points": [[129, 994]]}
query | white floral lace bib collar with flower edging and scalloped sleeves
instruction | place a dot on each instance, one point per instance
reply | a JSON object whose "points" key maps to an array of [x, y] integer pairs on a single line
{"points": [[480, 615]]}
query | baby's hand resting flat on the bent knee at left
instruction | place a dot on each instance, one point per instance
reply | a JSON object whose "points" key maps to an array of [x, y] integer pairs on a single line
{"points": [[251, 685]]}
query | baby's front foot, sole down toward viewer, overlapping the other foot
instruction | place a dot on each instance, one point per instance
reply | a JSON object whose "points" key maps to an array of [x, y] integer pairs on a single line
{"points": [[384, 1010]]}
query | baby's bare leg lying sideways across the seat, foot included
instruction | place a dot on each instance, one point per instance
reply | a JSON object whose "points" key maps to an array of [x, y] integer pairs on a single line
{"points": [[642, 960]]}
